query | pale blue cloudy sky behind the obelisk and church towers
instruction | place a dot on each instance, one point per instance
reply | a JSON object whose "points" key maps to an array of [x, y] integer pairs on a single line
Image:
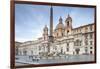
{"points": [[31, 19]]}
